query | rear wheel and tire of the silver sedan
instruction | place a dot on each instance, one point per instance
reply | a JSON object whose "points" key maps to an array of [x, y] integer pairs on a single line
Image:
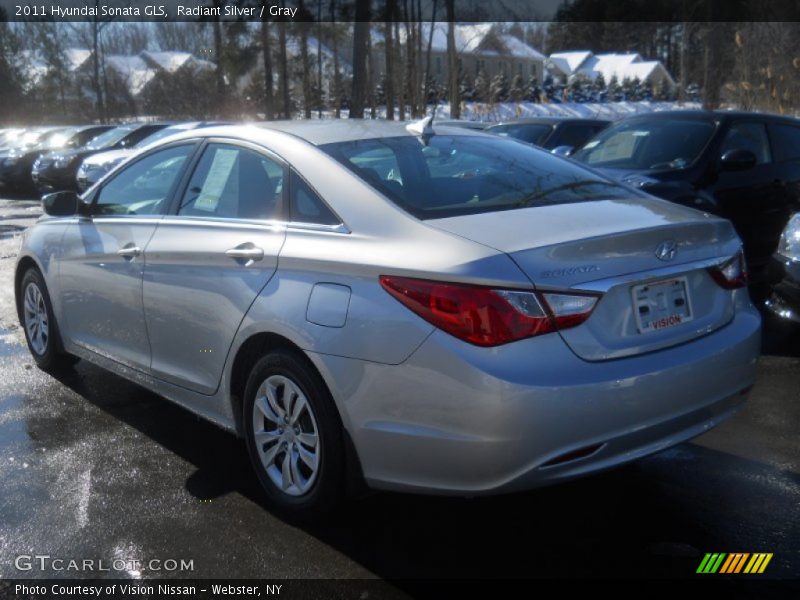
{"points": [[299, 463]]}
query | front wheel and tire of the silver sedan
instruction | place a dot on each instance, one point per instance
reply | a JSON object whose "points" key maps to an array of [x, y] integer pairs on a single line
{"points": [[39, 324]]}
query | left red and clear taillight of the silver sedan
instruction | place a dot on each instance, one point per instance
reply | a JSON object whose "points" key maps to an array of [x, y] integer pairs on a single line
{"points": [[489, 317]]}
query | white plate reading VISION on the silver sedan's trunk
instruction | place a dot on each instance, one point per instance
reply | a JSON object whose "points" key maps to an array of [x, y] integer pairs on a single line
{"points": [[661, 304]]}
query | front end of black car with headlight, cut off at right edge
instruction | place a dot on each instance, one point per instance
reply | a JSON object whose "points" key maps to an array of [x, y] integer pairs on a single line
{"points": [[784, 274]]}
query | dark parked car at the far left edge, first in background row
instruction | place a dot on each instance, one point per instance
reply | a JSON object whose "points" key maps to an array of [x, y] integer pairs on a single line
{"points": [[16, 168]]}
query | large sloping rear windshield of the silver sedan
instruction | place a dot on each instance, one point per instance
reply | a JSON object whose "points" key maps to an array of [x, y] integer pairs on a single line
{"points": [[457, 175]]}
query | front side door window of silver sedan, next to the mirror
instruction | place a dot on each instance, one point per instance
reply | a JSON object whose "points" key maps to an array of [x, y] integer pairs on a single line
{"points": [[143, 187]]}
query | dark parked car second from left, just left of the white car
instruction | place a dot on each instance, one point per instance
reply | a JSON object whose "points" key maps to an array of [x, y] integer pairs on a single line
{"points": [[57, 170]]}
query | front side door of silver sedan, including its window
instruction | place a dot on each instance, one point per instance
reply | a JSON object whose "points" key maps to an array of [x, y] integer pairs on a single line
{"points": [[102, 263]]}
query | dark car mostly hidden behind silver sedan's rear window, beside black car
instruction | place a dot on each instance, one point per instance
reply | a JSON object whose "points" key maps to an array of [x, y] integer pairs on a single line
{"points": [[562, 133]]}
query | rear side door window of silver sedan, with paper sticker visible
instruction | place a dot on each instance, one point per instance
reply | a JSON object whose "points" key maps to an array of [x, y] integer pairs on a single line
{"points": [[234, 183]]}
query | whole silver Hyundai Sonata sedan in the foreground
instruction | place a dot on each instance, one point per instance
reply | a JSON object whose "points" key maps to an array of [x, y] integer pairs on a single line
{"points": [[428, 309]]}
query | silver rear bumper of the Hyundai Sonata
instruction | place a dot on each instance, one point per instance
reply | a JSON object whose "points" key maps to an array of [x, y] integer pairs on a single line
{"points": [[458, 419]]}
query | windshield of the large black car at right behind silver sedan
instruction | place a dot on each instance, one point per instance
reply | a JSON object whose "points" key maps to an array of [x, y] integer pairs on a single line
{"points": [[642, 144]]}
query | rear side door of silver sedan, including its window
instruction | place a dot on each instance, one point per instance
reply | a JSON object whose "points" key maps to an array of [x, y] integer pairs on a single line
{"points": [[210, 258]]}
